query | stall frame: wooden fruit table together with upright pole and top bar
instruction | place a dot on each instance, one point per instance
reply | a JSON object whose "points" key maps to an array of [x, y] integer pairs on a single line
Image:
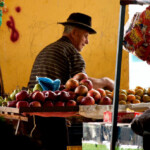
{"points": [[21, 114]]}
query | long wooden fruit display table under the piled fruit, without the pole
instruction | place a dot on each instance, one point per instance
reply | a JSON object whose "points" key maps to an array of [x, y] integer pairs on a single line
{"points": [[89, 111]]}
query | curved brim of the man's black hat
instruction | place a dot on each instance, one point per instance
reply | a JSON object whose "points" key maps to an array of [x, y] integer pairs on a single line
{"points": [[80, 25]]}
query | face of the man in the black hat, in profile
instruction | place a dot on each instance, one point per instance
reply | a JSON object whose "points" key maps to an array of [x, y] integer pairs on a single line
{"points": [[80, 38]]}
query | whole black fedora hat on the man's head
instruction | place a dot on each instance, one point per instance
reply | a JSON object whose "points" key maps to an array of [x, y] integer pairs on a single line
{"points": [[79, 20]]}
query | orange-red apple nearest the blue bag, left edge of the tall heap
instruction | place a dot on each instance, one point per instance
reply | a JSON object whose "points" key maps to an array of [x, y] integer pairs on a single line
{"points": [[71, 84]]}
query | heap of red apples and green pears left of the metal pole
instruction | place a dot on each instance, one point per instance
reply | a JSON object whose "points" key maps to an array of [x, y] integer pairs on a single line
{"points": [[77, 91]]}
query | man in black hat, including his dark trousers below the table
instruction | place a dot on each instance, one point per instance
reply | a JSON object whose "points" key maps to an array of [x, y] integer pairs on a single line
{"points": [[62, 60]]}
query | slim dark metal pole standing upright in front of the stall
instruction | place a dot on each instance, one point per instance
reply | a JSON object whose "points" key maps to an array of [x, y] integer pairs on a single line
{"points": [[117, 77]]}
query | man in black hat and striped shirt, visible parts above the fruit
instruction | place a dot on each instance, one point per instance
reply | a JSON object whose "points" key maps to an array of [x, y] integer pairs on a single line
{"points": [[61, 59]]}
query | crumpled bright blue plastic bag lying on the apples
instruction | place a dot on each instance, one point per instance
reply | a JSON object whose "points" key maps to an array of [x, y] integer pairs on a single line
{"points": [[48, 84]]}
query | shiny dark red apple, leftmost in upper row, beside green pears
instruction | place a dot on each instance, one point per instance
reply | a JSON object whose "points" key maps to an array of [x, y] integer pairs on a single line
{"points": [[22, 95]]}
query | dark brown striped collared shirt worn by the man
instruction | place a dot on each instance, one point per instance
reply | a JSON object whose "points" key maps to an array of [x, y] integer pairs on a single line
{"points": [[59, 60]]}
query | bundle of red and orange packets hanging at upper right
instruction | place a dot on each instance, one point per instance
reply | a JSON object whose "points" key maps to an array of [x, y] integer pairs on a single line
{"points": [[137, 38]]}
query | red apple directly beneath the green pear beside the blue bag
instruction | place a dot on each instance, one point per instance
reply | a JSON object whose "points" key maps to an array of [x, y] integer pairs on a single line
{"points": [[38, 96]]}
